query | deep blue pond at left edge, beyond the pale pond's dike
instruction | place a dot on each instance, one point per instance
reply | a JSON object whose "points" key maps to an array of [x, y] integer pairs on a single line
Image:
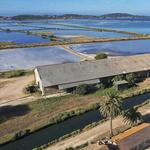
{"points": [[20, 38]]}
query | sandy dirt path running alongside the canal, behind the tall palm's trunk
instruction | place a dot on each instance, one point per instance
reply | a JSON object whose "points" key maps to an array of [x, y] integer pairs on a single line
{"points": [[93, 133]]}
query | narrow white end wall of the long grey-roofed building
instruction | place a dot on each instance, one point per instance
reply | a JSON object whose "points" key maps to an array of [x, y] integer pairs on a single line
{"points": [[38, 81]]}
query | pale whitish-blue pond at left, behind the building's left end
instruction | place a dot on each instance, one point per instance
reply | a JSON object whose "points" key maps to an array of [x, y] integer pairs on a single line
{"points": [[24, 58]]}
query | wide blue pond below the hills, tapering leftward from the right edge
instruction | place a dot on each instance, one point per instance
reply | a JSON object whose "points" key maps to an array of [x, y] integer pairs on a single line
{"points": [[133, 26]]}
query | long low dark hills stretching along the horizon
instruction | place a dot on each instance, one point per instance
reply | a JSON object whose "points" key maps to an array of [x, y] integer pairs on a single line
{"points": [[77, 16]]}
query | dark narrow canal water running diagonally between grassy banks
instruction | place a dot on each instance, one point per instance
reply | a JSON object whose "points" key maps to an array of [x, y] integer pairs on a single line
{"points": [[53, 132]]}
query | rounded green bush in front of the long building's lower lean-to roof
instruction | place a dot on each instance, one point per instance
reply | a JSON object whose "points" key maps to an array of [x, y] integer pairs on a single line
{"points": [[82, 89]]}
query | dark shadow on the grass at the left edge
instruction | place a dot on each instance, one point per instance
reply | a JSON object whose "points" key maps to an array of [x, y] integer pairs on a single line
{"points": [[9, 112]]}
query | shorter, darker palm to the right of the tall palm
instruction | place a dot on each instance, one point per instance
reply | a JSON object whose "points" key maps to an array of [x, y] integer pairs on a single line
{"points": [[132, 116]]}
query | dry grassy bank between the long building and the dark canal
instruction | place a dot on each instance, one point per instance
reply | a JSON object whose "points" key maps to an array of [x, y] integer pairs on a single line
{"points": [[33, 116]]}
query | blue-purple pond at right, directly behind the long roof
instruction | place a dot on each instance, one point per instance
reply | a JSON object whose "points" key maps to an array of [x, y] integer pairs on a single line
{"points": [[119, 47]]}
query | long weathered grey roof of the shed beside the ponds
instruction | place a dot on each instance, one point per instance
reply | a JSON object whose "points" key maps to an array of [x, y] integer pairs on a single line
{"points": [[88, 70]]}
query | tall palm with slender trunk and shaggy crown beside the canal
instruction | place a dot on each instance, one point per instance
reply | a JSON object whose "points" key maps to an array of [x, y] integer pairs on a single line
{"points": [[111, 106]]}
